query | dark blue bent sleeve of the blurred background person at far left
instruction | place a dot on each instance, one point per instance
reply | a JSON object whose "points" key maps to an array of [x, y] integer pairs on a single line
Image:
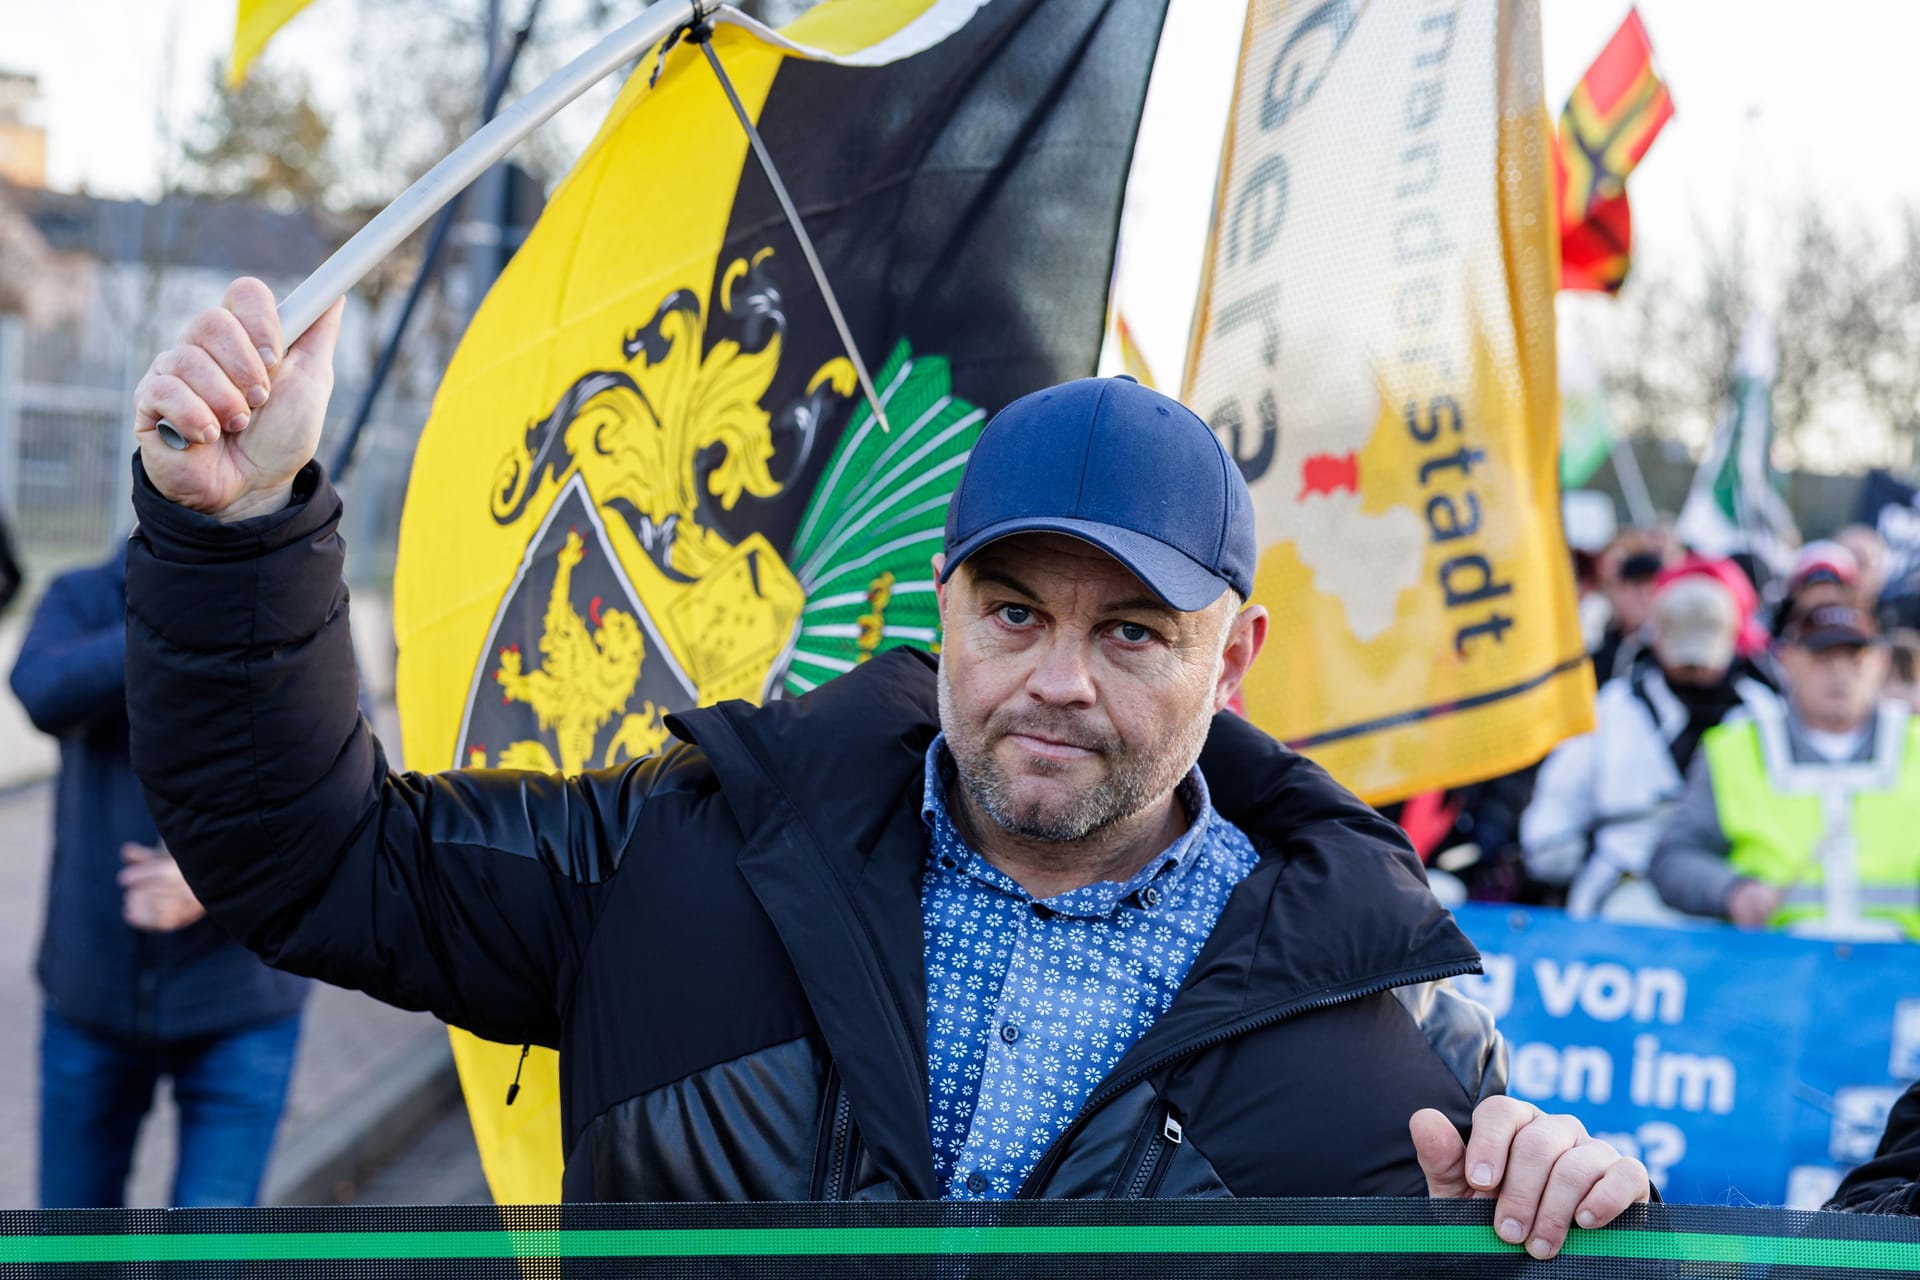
{"points": [[70, 669]]}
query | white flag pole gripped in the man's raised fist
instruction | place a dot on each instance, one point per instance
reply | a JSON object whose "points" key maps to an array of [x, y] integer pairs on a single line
{"points": [[468, 162]]}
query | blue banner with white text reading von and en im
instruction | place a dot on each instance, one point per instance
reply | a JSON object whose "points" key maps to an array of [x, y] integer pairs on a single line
{"points": [[1742, 1068]]}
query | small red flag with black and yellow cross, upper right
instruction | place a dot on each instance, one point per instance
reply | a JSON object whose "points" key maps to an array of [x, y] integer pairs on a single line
{"points": [[1612, 120]]}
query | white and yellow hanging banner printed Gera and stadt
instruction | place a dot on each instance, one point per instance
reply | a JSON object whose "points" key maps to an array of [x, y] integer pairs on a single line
{"points": [[1376, 348]]}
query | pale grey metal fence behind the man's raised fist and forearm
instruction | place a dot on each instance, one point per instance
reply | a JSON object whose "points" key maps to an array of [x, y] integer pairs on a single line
{"points": [[66, 439]]}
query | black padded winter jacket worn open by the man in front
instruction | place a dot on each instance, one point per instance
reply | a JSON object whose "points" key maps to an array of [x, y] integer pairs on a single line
{"points": [[725, 941]]}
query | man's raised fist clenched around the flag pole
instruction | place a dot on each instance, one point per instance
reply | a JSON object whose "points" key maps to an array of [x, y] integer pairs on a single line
{"points": [[249, 408]]}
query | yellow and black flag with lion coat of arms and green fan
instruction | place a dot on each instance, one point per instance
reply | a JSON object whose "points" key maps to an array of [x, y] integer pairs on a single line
{"points": [[650, 479]]}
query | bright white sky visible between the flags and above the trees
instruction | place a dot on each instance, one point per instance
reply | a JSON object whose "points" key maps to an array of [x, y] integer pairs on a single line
{"points": [[1775, 103]]}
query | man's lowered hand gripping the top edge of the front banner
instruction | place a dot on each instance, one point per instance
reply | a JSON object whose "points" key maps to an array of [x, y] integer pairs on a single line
{"points": [[1543, 1172]]}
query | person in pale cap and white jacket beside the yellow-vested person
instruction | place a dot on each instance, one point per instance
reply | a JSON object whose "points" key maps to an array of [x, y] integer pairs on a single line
{"points": [[1600, 797]]}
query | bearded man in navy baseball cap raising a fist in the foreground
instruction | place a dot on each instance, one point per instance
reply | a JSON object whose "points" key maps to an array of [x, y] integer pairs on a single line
{"points": [[961, 934]]}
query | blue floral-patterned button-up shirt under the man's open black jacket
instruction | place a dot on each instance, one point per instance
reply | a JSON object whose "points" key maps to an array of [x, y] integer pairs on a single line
{"points": [[1032, 1003]]}
